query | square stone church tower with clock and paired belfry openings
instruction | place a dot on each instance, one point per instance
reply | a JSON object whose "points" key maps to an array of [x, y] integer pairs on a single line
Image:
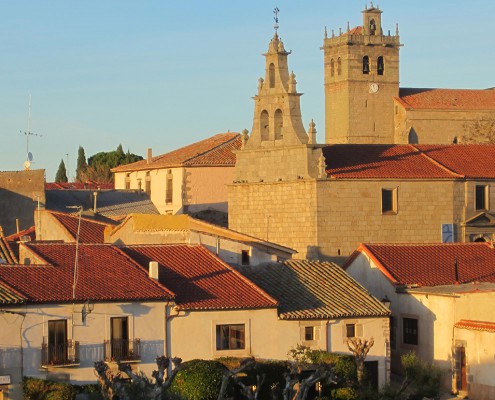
{"points": [[361, 79]]}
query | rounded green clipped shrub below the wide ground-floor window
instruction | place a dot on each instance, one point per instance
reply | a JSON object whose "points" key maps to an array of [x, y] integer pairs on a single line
{"points": [[198, 380]]}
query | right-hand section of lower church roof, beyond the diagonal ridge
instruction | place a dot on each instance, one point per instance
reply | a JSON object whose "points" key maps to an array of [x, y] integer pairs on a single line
{"points": [[469, 160]]}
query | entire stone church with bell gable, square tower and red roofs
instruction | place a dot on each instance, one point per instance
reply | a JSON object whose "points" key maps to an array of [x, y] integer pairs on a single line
{"points": [[388, 171]]}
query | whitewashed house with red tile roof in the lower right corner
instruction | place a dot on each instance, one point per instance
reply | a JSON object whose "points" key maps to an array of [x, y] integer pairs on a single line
{"points": [[441, 298]]}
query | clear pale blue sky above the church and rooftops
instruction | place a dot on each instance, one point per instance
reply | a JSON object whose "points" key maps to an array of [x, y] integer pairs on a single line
{"points": [[163, 74]]}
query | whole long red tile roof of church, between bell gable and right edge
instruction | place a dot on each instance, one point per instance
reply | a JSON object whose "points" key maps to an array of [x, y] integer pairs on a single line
{"points": [[369, 161]]}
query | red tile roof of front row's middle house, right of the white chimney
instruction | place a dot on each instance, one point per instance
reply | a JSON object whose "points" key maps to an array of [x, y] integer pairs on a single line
{"points": [[200, 280]]}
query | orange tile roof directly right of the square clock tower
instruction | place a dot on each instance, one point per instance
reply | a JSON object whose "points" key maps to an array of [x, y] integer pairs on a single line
{"points": [[447, 99]]}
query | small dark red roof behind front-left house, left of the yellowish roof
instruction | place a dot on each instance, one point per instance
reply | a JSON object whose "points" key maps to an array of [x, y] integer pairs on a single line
{"points": [[91, 231]]}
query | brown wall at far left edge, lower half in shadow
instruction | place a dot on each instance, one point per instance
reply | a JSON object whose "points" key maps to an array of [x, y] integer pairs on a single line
{"points": [[19, 194]]}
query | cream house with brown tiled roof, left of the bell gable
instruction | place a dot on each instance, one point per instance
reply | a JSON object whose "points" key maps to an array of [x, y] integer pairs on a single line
{"points": [[189, 179]]}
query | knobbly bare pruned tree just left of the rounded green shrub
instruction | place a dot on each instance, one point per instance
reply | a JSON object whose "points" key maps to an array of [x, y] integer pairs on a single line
{"points": [[127, 385]]}
